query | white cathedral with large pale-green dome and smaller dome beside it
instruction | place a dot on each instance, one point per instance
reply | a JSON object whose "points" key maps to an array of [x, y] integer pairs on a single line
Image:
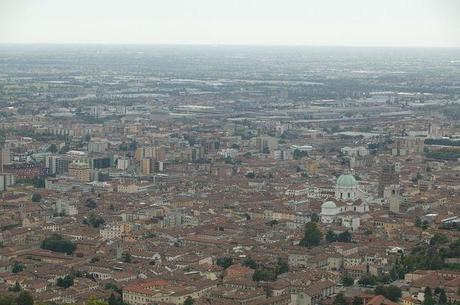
{"points": [[350, 201]]}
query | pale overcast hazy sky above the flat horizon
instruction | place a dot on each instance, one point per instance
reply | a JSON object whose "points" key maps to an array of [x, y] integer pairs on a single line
{"points": [[272, 22]]}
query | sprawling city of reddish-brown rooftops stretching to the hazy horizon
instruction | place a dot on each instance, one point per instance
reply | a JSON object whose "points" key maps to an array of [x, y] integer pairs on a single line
{"points": [[238, 178]]}
